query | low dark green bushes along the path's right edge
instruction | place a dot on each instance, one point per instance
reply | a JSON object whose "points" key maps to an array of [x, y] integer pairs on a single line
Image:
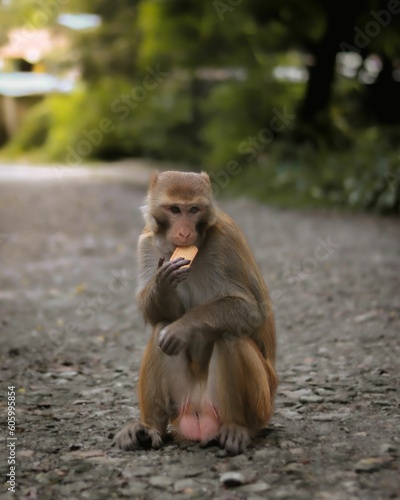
{"points": [[365, 176]]}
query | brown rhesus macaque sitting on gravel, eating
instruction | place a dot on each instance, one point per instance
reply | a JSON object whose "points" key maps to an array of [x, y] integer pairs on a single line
{"points": [[208, 370]]}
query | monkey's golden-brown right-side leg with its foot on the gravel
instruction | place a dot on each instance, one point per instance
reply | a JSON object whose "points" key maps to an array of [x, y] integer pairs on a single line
{"points": [[242, 385]]}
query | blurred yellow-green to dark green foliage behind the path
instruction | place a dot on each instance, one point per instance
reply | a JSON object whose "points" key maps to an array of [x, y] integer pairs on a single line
{"points": [[181, 81]]}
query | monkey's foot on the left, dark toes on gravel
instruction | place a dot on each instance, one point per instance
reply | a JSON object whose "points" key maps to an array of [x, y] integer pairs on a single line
{"points": [[136, 435]]}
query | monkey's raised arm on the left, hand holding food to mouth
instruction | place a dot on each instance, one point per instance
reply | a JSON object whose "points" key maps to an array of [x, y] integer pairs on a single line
{"points": [[157, 296]]}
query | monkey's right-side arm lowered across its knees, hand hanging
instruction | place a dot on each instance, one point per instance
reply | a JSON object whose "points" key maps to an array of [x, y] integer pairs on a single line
{"points": [[239, 304]]}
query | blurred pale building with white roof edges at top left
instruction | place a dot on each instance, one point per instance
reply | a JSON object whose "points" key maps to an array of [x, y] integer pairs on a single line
{"points": [[35, 63]]}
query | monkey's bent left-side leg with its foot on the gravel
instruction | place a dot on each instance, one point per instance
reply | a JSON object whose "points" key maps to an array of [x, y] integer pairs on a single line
{"points": [[153, 400]]}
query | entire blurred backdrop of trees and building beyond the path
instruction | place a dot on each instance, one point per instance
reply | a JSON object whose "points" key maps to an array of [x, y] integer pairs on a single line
{"points": [[295, 103]]}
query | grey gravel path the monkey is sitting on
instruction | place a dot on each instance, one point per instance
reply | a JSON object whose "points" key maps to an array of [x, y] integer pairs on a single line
{"points": [[71, 340]]}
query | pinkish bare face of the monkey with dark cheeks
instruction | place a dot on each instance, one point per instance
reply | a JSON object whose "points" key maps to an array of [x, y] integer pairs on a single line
{"points": [[181, 225]]}
